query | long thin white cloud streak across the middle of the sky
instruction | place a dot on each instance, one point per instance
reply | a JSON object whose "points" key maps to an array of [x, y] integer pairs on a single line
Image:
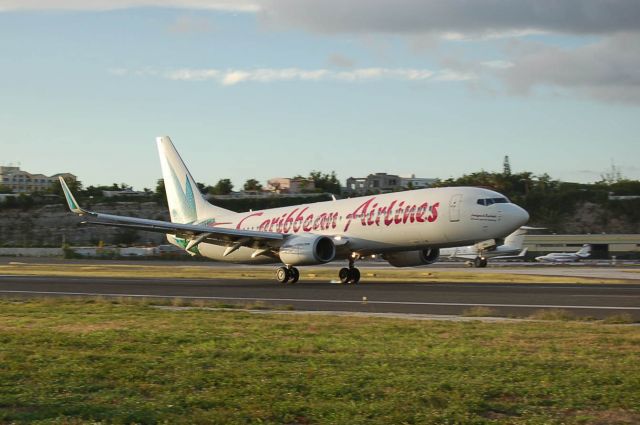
{"points": [[232, 77]]}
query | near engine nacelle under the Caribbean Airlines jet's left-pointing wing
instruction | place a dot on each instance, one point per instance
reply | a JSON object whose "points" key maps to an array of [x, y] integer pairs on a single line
{"points": [[307, 250]]}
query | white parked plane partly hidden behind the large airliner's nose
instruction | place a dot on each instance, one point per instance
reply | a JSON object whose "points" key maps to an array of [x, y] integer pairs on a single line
{"points": [[478, 254]]}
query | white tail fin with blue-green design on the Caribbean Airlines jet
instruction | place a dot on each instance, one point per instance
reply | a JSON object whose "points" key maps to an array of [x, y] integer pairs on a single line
{"points": [[186, 203]]}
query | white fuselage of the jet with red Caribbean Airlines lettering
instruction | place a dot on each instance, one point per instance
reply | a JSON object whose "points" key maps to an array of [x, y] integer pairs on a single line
{"points": [[401, 221]]}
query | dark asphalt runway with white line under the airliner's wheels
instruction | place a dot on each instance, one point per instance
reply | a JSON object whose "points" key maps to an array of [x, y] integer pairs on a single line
{"points": [[378, 297]]}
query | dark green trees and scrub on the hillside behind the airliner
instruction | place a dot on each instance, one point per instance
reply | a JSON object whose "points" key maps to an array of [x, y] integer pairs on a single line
{"points": [[561, 207]]}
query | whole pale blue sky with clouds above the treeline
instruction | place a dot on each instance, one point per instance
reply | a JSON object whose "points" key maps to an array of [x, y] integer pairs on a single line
{"points": [[276, 88]]}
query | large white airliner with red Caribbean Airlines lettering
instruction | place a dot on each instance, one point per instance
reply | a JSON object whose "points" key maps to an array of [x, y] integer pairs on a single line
{"points": [[405, 228]]}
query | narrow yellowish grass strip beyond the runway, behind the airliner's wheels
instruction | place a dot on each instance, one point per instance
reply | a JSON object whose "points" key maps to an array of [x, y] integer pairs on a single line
{"points": [[306, 273]]}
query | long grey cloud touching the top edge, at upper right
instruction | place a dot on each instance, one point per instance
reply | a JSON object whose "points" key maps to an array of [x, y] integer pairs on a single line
{"points": [[456, 18]]}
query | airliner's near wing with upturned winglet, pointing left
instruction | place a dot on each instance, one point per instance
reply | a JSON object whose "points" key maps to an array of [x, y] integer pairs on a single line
{"points": [[196, 233]]}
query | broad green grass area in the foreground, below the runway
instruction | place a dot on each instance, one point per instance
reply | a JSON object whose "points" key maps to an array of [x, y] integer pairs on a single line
{"points": [[120, 361]]}
